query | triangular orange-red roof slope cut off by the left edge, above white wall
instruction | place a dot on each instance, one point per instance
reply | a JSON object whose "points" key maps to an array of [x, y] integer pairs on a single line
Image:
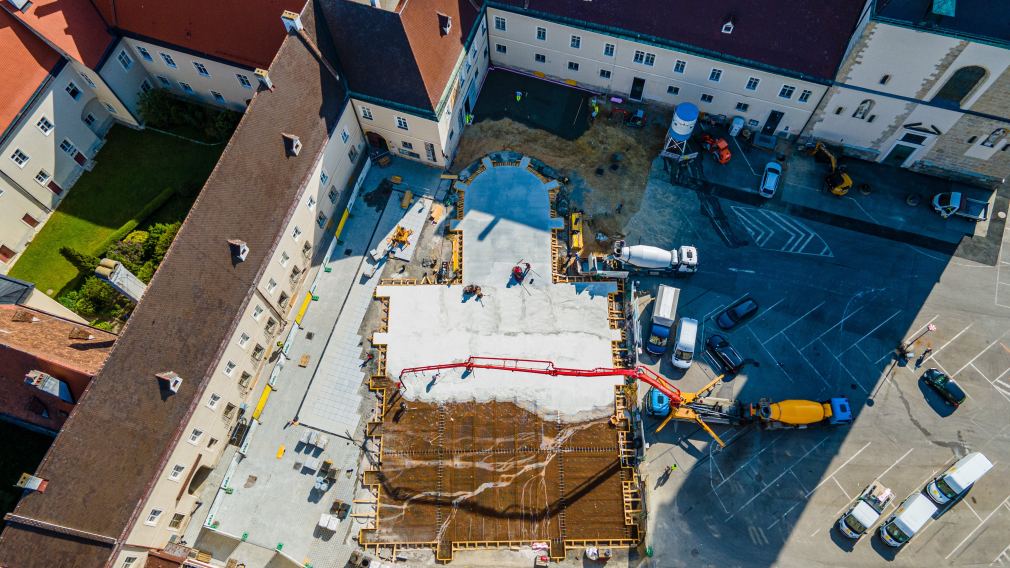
{"points": [[27, 62]]}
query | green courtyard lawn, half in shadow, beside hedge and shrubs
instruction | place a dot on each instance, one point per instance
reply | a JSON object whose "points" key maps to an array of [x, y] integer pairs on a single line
{"points": [[134, 167]]}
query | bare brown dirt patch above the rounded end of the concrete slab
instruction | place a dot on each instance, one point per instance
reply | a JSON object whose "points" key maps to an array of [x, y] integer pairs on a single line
{"points": [[610, 198]]}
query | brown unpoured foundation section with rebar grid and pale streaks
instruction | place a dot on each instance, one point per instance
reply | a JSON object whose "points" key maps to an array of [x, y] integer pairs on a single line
{"points": [[467, 476]]}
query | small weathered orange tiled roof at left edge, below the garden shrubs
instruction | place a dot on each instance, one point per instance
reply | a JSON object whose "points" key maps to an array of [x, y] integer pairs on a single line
{"points": [[48, 338]]}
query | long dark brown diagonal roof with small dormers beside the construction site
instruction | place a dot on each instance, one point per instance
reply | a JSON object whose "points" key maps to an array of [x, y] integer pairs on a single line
{"points": [[118, 440]]}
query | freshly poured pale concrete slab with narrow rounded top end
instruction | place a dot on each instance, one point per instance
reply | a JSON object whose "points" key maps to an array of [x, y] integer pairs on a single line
{"points": [[507, 221]]}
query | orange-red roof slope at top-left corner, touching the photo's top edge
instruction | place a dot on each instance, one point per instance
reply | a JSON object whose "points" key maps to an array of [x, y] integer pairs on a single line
{"points": [[72, 26]]}
